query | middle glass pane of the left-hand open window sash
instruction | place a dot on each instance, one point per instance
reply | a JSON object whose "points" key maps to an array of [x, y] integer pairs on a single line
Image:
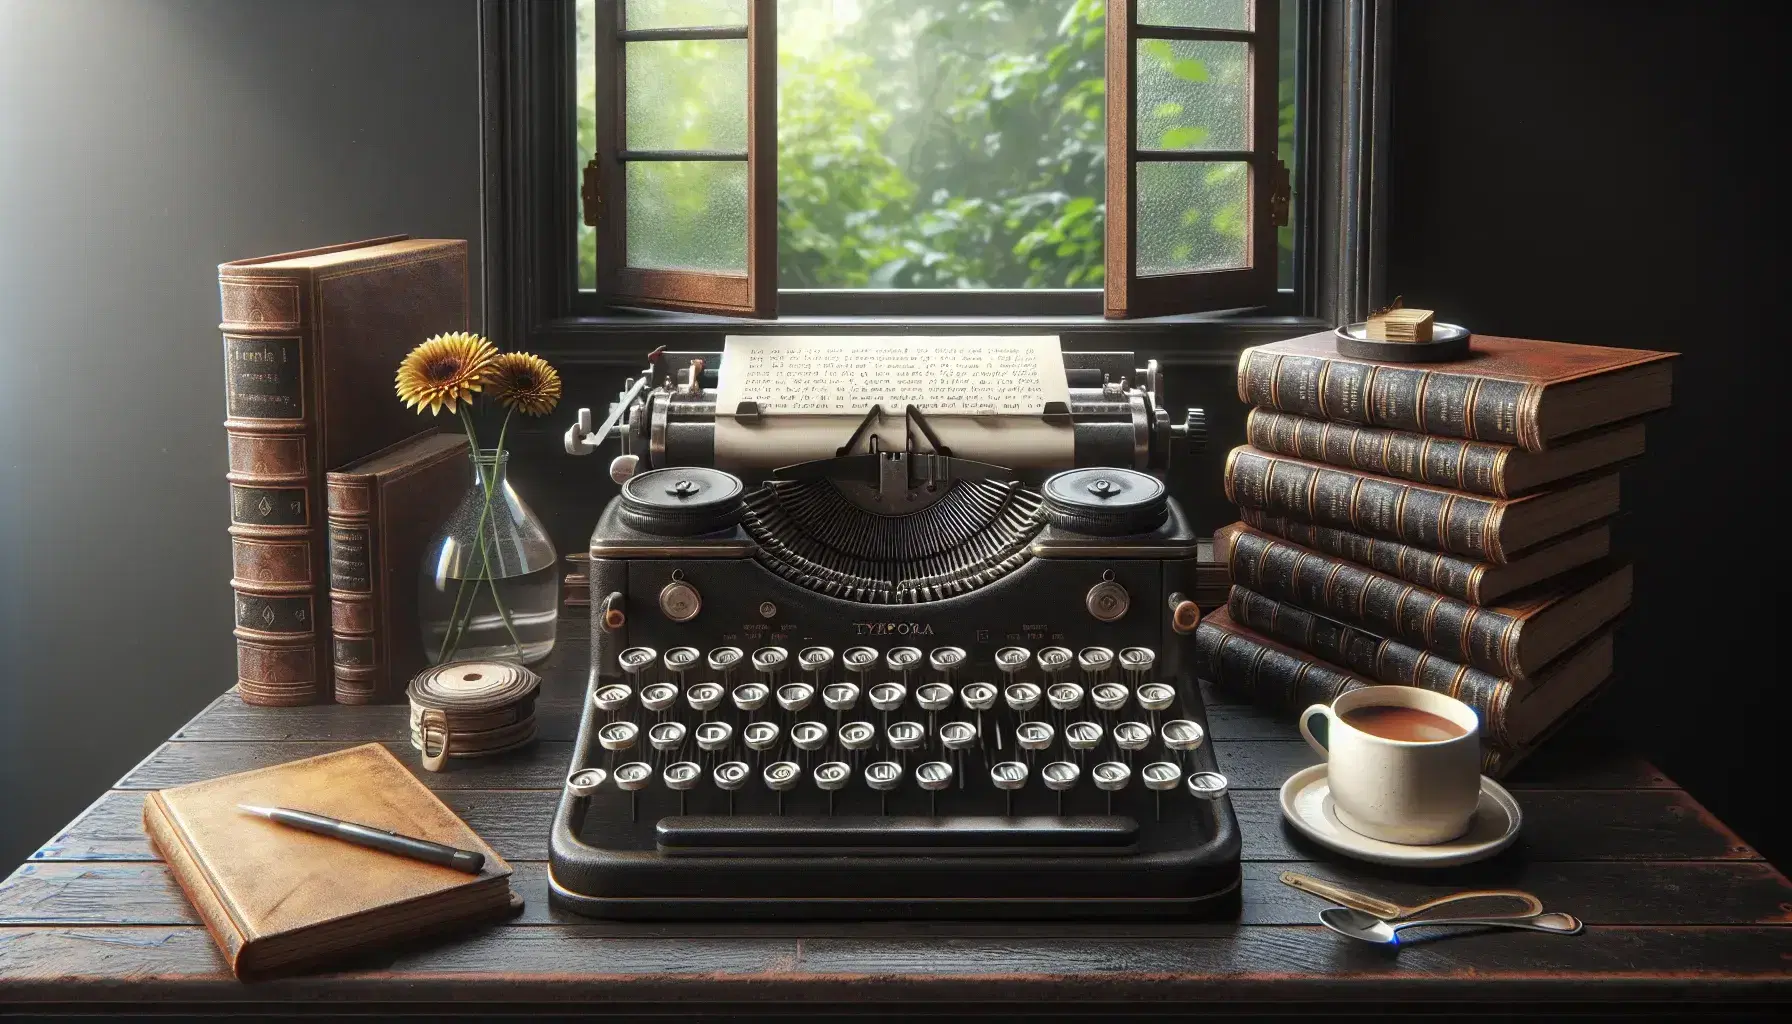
{"points": [[689, 94]]}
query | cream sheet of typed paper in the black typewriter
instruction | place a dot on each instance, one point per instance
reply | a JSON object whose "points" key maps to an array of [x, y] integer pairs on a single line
{"points": [[983, 395]]}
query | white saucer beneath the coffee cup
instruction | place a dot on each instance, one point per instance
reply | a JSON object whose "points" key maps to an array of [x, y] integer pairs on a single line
{"points": [[1307, 806]]}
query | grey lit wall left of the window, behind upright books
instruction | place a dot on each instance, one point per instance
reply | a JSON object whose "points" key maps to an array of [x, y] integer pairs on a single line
{"points": [[142, 143]]}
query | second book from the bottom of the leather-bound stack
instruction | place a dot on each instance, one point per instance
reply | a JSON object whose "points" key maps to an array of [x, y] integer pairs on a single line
{"points": [[1399, 664]]}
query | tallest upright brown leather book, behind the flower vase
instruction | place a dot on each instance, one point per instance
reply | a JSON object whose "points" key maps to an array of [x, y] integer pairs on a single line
{"points": [[311, 345]]}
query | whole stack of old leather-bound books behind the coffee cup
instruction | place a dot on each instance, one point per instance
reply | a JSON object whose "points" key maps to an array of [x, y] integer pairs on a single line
{"points": [[1442, 526]]}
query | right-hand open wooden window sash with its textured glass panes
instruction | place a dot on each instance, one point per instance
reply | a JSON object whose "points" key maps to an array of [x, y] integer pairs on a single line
{"points": [[1194, 186]]}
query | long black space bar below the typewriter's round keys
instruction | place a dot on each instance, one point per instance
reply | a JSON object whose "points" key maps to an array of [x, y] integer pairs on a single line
{"points": [[958, 837]]}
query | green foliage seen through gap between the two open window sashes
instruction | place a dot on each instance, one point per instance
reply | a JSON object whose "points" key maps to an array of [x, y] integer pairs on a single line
{"points": [[942, 144]]}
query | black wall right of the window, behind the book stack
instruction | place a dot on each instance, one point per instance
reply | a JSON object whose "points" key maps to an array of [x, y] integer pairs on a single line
{"points": [[1599, 173]]}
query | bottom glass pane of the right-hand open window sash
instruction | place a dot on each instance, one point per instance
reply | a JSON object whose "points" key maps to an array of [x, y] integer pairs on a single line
{"points": [[1191, 216]]}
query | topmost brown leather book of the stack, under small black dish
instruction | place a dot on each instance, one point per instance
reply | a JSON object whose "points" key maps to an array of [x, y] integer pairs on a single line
{"points": [[1528, 394]]}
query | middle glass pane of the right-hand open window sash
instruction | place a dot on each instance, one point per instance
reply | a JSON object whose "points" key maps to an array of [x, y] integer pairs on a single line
{"points": [[1193, 96]]}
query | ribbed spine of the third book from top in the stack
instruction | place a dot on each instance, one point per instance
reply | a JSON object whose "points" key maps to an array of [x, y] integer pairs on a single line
{"points": [[1345, 499]]}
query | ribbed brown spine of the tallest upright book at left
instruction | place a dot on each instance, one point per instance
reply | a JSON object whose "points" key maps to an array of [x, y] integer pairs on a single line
{"points": [[277, 516]]}
